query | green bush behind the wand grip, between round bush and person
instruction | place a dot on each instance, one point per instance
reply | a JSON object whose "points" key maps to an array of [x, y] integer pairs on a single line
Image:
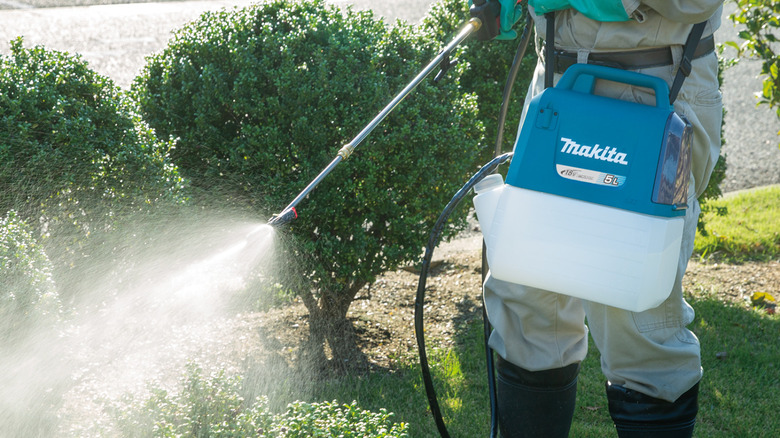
{"points": [[488, 67]]}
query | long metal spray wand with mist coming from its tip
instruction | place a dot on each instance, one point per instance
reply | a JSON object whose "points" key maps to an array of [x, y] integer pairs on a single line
{"points": [[442, 60]]}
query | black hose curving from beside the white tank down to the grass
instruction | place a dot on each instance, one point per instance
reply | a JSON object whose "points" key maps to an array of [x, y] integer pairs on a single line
{"points": [[419, 303]]}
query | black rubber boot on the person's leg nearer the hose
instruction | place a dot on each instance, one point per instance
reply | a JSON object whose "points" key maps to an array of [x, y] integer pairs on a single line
{"points": [[535, 403]]}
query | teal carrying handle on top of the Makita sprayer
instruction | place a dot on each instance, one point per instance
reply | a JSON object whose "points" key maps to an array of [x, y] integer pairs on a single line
{"points": [[589, 73]]}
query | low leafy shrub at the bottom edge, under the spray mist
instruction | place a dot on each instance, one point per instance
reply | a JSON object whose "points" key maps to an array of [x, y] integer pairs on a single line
{"points": [[212, 407]]}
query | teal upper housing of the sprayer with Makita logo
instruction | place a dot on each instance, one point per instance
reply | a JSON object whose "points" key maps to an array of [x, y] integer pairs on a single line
{"points": [[585, 146]]}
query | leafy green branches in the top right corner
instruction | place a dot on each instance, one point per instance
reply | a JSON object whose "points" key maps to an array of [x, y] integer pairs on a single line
{"points": [[761, 20]]}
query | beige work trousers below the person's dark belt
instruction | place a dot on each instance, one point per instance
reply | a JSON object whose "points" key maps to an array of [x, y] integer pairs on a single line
{"points": [[652, 351]]}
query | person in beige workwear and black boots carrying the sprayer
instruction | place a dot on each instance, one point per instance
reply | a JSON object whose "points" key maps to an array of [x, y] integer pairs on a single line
{"points": [[651, 361]]}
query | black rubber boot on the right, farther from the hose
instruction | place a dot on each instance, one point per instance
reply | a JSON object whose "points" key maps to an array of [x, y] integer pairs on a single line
{"points": [[637, 415]]}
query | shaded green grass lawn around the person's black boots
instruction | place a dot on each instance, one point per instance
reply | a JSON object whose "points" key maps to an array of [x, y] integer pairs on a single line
{"points": [[738, 398]]}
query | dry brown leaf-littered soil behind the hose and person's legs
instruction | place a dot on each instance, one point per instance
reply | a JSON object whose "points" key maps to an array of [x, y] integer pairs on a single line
{"points": [[383, 315]]}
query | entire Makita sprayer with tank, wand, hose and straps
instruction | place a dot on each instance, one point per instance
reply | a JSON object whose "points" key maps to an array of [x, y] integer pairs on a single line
{"points": [[592, 202]]}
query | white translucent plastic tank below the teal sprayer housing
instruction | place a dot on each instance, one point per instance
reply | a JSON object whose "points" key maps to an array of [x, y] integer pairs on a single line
{"points": [[581, 249]]}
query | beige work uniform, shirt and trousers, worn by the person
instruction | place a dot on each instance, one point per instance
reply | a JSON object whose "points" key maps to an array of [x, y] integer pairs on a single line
{"points": [[652, 351]]}
